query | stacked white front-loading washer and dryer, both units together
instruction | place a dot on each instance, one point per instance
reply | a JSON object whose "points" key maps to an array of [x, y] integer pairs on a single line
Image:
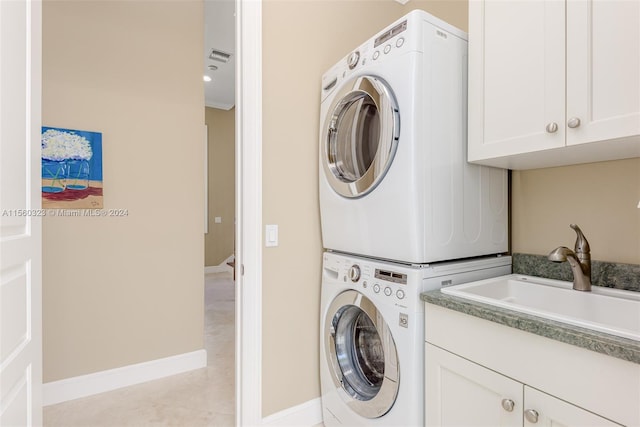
{"points": [[402, 212]]}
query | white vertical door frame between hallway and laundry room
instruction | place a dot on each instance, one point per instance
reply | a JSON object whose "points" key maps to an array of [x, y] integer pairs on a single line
{"points": [[248, 212]]}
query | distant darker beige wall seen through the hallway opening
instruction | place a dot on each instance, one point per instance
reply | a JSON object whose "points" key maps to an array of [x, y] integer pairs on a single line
{"points": [[221, 160]]}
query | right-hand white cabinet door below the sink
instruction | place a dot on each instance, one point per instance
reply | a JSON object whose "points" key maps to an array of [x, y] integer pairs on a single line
{"points": [[551, 411]]}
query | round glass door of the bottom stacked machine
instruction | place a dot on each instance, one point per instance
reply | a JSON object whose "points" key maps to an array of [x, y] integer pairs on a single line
{"points": [[362, 355]]}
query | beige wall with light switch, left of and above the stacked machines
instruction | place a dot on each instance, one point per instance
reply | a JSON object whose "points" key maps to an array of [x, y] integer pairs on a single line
{"points": [[301, 40]]}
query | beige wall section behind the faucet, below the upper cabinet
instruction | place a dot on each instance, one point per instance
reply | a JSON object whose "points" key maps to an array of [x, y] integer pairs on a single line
{"points": [[602, 198]]}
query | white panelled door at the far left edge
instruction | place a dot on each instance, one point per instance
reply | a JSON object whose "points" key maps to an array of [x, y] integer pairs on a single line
{"points": [[20, 220]]}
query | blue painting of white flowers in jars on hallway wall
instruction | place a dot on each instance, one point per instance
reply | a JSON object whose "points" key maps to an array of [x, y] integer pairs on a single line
{"points": [[71, 168]]}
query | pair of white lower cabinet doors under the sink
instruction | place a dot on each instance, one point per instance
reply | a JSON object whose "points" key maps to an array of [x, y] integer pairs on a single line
{"points": [[460, 393]]}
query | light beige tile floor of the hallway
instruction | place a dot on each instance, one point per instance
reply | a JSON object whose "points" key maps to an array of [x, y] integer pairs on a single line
{"points": [[204, 397]]}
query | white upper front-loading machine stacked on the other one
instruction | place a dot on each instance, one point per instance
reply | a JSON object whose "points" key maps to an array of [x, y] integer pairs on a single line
{"points": [[394, 181]]}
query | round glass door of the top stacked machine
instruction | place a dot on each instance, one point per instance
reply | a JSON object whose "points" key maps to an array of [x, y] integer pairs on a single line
{"points": [[360, 136]]}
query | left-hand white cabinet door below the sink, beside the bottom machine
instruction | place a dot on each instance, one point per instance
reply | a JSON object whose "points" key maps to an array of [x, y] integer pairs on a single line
{"points": [[461, 393]]}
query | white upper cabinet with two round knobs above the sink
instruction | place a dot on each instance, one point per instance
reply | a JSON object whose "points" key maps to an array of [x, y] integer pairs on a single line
{"points": [[552, 82]]}
